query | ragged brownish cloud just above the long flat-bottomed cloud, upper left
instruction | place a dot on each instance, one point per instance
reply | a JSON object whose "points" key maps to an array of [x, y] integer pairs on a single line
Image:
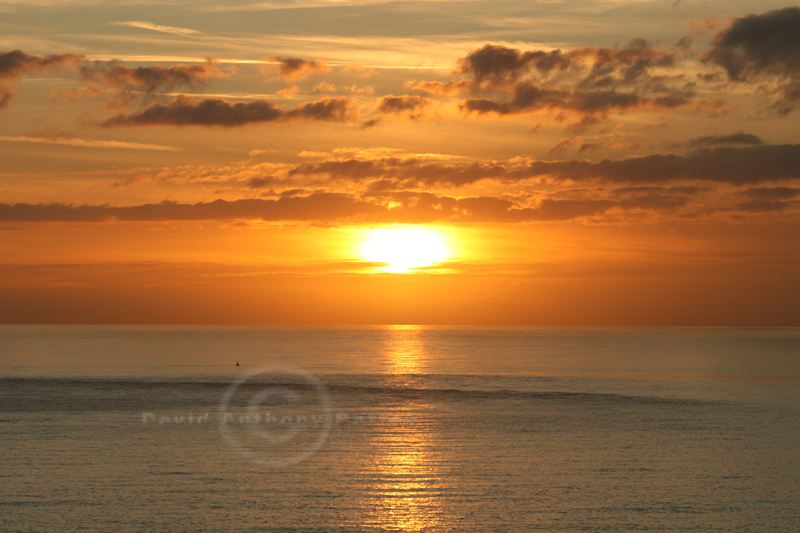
{"points": [[147, 80]]}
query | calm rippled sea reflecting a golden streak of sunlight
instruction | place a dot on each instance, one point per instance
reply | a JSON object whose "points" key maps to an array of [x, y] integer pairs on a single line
{"points": [[140, 428]]}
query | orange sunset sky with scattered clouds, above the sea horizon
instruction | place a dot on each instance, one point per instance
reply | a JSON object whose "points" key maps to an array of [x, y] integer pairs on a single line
{"points": [[626, 163]]}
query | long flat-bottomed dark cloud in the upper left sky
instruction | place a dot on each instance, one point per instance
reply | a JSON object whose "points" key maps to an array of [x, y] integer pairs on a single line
{"points": [[185, 111]]}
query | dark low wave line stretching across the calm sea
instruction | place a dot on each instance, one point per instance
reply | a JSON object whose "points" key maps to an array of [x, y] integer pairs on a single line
{"points": [[39, 394]]}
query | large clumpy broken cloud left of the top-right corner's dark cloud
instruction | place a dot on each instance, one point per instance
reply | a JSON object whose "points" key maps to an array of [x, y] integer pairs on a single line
{"points": [[587, 83]]}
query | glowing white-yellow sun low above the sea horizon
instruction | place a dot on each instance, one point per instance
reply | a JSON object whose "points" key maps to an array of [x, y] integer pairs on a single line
{"points": [[404, 249]]}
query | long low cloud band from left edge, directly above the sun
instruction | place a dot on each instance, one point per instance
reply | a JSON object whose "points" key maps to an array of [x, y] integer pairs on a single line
{"points": [[399, 207]]}
